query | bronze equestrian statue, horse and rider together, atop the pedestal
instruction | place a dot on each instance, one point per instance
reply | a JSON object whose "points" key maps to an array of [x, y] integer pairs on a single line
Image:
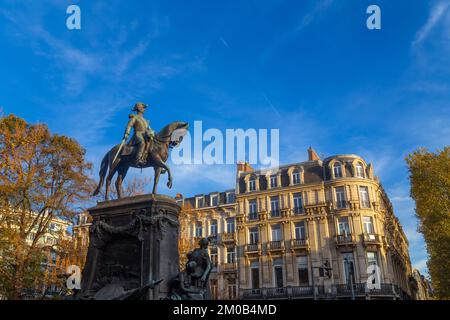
{"points": [[145, 149]]}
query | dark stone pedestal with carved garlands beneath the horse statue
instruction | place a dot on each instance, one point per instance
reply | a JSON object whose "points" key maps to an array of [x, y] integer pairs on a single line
{"points": [[133, 241]]}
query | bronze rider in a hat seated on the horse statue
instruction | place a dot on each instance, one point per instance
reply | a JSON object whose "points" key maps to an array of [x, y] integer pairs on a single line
{"points": [[142, 132]]}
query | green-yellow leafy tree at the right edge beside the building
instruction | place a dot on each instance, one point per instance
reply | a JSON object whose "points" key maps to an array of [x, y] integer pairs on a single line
{"points": [[430, 188]]}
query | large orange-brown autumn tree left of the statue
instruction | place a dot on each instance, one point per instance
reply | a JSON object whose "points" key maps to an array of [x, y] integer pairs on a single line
{"points": [[42, 176]]}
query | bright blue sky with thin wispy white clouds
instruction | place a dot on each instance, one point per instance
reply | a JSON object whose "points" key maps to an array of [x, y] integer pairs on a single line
{"points": [[310, 68]]}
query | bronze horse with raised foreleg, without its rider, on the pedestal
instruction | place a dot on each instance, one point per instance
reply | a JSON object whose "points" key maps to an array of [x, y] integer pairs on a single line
{"points": [[157, 155]]}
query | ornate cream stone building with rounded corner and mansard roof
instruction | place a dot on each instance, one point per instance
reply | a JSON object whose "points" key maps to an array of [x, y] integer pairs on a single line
{"points": [[315, 229]]}
